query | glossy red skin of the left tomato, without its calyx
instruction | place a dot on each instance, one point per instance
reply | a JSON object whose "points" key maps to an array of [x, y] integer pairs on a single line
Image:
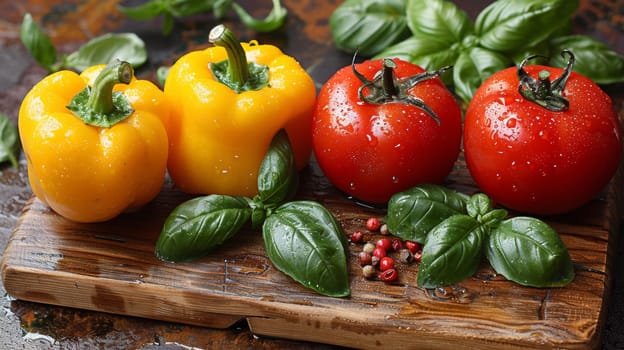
{"points": [[372, 151]]}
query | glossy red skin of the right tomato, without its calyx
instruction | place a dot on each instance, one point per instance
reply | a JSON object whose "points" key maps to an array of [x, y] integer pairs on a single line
{"points": [[536, 161]]}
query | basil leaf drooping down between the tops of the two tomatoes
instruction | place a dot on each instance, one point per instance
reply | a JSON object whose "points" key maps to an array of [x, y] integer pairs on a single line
{"points": [[473, 67]]}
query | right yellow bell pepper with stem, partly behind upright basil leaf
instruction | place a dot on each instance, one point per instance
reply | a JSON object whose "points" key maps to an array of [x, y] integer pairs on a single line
{"points": [[228, 101]]}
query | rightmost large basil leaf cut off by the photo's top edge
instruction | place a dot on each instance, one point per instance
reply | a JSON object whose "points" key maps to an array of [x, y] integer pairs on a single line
{"points": [[511, 25]]}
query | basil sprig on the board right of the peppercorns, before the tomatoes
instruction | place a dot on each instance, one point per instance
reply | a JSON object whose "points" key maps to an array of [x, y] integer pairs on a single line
{"points": [[523, 249]]}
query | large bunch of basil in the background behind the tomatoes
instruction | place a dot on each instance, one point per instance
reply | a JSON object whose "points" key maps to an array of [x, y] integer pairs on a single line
{"points": [[442, 34]]}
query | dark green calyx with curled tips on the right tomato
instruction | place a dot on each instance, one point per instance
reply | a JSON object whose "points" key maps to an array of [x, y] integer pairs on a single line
{"points": [[546, 93]]}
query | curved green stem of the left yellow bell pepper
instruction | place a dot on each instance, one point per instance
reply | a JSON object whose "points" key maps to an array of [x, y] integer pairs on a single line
{"points": [[101, 96]]}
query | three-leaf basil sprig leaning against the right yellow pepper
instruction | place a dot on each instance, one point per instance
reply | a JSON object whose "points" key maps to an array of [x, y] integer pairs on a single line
{"points": [[302, 238]]}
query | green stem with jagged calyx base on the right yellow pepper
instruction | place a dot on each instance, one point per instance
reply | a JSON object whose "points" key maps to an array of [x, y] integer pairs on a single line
{"points": [[236, 72]]}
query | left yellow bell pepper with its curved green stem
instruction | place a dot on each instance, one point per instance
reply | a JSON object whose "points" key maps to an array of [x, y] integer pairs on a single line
{"points": [[96, 143]]}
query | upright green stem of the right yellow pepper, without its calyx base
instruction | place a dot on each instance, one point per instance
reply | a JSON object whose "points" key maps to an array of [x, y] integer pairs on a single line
{"points": [[238, 69]]}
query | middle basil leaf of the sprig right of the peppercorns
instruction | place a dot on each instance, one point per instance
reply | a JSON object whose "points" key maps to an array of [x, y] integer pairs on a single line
{"points": [[452, 252]]}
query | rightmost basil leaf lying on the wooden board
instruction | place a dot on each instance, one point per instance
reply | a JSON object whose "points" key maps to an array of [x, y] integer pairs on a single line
{"points": [[529, 252]]}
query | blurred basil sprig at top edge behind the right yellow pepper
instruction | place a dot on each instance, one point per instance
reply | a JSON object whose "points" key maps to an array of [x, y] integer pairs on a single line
{"points": [[172, 9]]}
